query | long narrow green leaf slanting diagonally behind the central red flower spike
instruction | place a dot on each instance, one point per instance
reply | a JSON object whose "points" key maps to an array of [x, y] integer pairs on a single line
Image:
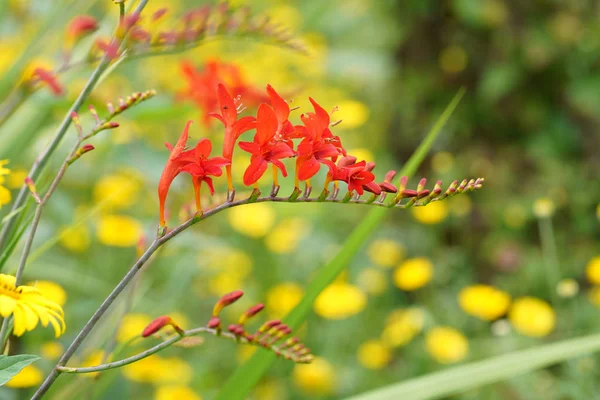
{"points": [[246, 376]]}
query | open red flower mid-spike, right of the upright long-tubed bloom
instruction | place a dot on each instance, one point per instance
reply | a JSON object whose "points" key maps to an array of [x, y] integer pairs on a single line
{"points": [[264, 149]]}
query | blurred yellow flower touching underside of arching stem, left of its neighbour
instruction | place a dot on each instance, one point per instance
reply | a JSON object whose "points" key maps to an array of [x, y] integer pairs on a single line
{"points": [[253, 220]]}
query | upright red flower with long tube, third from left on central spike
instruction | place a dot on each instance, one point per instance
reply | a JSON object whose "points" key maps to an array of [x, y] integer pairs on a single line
{"points": [[233, 127]]}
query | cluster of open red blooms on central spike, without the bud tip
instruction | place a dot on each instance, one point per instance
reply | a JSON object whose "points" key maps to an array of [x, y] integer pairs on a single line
{"points": [[312, 144]]}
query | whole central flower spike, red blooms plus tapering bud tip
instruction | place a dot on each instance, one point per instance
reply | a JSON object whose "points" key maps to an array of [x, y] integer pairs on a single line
{"points": [[312, 144]]}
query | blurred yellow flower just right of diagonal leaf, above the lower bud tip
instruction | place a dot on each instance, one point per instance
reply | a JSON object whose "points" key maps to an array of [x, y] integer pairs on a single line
{"points": [[340, 300]]}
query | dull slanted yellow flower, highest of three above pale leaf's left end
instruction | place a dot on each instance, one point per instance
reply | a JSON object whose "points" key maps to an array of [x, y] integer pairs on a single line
{"points": [[402, 326]]}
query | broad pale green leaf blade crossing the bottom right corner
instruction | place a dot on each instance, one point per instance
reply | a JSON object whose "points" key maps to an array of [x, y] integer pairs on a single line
{"points": [[469, 376]]}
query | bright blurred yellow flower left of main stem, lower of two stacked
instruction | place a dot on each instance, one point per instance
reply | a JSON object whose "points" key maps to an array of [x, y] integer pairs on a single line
{"points": [[119, 230]]}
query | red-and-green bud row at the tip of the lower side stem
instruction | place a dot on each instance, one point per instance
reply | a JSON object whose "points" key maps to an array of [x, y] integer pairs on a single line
{"points": [[273, 335]]}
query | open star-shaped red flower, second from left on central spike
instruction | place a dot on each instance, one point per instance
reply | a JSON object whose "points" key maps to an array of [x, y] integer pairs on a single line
{"points": [[198, 164]]}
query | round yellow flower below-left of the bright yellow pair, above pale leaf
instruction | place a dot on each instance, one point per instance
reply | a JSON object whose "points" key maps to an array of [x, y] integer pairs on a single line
{"points": [[446, 345]]}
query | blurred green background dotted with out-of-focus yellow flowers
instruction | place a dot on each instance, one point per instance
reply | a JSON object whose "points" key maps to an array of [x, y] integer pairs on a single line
{"points": [[409, 304]]}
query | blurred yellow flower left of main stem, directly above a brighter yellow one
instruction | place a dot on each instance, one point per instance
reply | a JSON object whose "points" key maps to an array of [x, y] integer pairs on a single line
{"points": [[119, 190]]}
